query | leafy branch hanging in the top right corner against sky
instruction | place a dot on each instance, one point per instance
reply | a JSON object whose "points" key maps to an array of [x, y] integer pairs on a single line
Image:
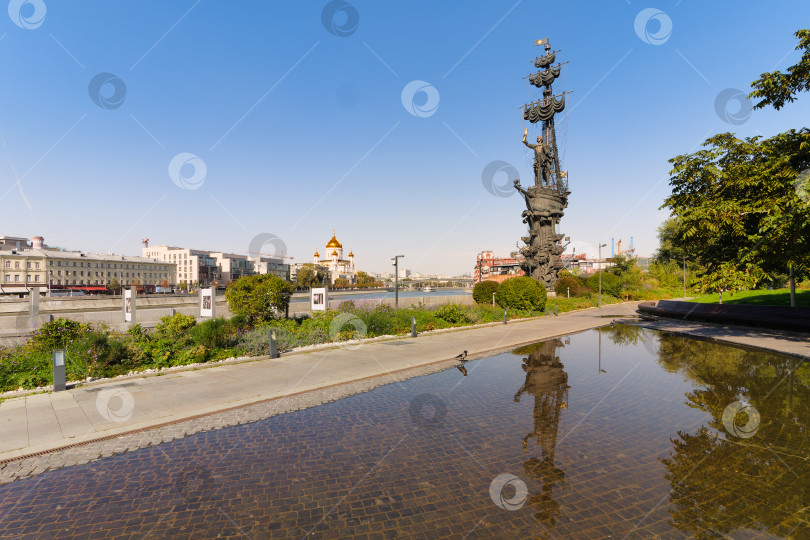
{"points": [[777, 88]]}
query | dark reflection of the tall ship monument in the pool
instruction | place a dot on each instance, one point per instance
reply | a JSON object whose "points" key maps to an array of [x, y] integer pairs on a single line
{"points": [[547, 382]]}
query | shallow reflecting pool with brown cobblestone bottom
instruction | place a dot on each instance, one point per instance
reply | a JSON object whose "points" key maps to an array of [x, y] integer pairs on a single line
{"points": [[612, 432]]}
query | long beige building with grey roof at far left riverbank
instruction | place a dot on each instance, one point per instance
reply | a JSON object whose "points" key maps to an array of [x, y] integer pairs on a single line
{"points": [[75, 270]]}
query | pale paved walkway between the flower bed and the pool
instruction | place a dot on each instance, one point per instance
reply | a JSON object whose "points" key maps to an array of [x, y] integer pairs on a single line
{"points": [[42, 422]]}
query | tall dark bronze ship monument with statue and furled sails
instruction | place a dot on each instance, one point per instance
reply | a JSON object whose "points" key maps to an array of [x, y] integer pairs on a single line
{"points": [[548, 197]]}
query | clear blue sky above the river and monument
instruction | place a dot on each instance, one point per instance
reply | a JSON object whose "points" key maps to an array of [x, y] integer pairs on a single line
{"points": [[302, 130]]}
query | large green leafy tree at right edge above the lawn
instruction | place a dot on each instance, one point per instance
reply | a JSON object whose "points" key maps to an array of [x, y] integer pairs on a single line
{"points": [[739, 211]]}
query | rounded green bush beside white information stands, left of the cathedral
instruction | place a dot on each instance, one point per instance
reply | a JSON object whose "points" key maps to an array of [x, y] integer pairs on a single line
{"points": [[259, 297]]}
